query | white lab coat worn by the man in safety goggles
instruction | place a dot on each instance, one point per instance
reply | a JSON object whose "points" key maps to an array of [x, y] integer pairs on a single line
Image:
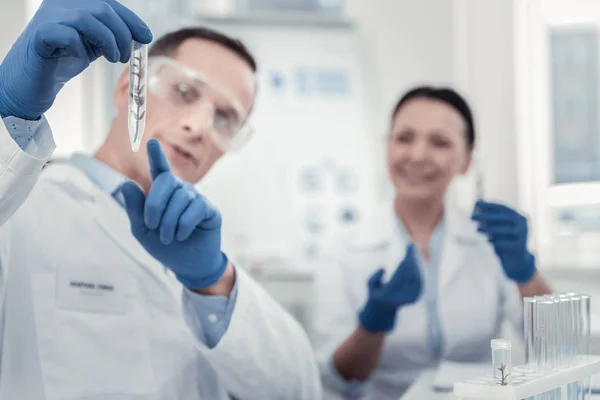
{"points": [[135, 339]]}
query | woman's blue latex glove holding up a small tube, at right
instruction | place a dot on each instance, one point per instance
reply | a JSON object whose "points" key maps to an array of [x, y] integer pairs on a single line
{"points": [[506, 230]]}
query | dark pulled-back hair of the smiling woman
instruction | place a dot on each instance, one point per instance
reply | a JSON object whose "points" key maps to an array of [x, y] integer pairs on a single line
{"points": [[445, 95]]}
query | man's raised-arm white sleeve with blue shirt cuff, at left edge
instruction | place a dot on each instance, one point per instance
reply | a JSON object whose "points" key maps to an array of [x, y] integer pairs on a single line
{"points": [[21, 163]]}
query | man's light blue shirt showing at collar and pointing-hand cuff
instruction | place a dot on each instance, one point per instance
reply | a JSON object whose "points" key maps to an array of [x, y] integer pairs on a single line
{"points": [[214, 312]]}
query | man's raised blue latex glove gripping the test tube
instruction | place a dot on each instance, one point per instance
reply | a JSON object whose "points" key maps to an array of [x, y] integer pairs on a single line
{"points": [[60, 41]]}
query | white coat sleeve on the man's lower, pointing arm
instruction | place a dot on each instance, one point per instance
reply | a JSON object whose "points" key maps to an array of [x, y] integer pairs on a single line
{"points": [[265, 353]]}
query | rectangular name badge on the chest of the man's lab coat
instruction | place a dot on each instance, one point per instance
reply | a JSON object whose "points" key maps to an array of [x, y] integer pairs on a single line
{"points": [[92, 289]]}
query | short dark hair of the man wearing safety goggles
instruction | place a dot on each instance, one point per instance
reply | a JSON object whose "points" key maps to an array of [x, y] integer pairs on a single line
{"points": [[166, 45]]}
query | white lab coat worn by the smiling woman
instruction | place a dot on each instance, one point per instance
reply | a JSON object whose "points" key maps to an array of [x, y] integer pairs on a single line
{"points": [[474, 297]]}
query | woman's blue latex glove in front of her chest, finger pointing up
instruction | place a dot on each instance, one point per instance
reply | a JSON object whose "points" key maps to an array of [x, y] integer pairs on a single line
{"points": [[385, 299]]}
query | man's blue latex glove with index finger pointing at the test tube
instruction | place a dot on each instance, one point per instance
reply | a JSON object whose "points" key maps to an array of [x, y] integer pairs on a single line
{"points": [[176, 225]]}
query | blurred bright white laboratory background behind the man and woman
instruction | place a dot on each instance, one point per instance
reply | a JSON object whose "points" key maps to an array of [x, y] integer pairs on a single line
{"points": [[330, 71]]}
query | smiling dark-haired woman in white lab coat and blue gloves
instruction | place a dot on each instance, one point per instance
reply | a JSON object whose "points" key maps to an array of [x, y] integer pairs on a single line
{"points": [[422, 281]]}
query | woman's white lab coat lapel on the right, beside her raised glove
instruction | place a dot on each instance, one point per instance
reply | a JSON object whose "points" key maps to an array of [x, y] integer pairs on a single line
{"points": [[459, 236]]}
